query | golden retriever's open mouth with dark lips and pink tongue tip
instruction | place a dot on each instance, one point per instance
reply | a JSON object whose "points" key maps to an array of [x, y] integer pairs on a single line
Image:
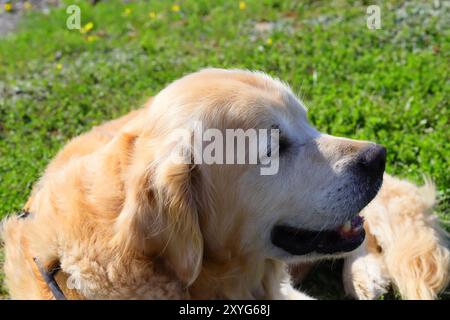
{"points": [[347, 237]]}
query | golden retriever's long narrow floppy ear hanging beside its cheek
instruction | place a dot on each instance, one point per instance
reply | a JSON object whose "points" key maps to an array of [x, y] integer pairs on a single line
{"points": [[179, 192]]}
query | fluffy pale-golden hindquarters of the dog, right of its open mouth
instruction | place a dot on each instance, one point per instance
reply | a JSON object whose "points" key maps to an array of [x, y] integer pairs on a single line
{"points": [[405, 247]]}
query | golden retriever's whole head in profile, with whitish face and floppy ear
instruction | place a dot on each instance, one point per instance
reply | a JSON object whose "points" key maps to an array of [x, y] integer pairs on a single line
{"points": [[304, 206]]}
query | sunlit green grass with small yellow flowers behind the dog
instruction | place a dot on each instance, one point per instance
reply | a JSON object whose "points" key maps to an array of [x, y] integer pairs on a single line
{"points": [[390, 85]]}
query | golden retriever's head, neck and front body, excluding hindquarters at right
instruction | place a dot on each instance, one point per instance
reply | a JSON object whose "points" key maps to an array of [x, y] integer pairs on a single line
{"points": [[121, 219]]}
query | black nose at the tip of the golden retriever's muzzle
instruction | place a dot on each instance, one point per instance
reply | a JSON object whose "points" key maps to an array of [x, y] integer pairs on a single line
{"points": [[372, 160]]}
